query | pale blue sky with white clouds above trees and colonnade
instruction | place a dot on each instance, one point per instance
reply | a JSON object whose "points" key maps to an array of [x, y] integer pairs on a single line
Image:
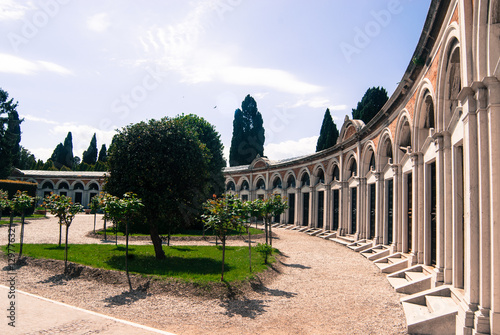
{"points": [[95, 66]]}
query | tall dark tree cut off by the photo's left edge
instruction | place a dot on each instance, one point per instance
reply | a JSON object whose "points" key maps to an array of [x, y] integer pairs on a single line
{"points": [[10, 134]]}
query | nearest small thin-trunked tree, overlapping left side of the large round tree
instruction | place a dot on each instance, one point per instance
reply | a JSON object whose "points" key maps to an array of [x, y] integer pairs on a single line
{"points": [[124, 210]]}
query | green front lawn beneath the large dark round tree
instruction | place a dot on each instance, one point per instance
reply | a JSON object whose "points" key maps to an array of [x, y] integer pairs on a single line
{"points": [[199, 264]]}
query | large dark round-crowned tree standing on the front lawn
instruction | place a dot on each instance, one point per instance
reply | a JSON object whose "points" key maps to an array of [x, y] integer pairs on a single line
{"points": [[166, 165]]}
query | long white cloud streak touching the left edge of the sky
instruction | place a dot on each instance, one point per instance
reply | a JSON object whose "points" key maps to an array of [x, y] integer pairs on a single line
{"points": [[18, 65]]}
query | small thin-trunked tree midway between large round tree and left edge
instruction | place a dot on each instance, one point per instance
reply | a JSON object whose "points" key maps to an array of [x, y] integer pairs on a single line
{"points": [[63, 208]]}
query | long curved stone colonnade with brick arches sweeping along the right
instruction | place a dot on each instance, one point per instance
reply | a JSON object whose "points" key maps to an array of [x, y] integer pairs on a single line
{"points": [[416, 189]]}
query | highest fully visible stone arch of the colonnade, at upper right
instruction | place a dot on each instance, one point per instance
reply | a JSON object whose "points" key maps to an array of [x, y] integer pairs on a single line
{"points": [[449, 78]]}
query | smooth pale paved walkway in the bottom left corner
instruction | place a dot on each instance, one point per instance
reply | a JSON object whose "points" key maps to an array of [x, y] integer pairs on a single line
{"points": [[37, 315]]}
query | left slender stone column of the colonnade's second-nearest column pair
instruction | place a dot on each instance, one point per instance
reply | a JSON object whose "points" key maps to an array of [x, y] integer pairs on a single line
{"points": [[440, 232]]}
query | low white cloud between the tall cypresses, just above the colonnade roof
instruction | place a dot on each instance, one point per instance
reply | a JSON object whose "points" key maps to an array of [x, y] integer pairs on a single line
{"points": [[290, 149]]}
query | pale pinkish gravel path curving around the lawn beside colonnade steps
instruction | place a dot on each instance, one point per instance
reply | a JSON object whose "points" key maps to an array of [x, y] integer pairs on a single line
{"points": [[324, 288]]}
